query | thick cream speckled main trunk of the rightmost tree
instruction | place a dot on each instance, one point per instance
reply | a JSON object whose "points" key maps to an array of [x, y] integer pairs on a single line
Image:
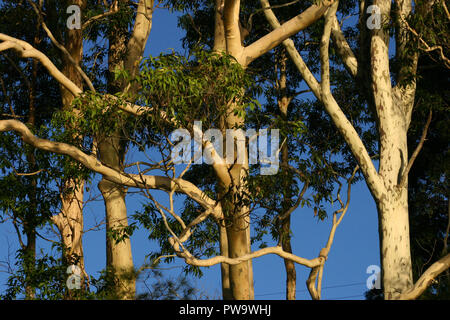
{"points": [[394, 107]]}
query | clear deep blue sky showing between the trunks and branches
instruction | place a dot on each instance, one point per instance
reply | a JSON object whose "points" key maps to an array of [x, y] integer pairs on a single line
{"points": [[355, 246]]}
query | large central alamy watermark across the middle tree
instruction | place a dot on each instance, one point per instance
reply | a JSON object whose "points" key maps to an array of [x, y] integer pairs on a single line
{"points": [[208, 147]]}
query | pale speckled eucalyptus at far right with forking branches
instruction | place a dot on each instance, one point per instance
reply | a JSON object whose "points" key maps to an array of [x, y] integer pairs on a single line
{"points": [[391, 99]]}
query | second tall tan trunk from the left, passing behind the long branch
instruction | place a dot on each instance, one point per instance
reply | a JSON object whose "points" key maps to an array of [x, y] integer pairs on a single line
{"points": [[112, 152]]}
